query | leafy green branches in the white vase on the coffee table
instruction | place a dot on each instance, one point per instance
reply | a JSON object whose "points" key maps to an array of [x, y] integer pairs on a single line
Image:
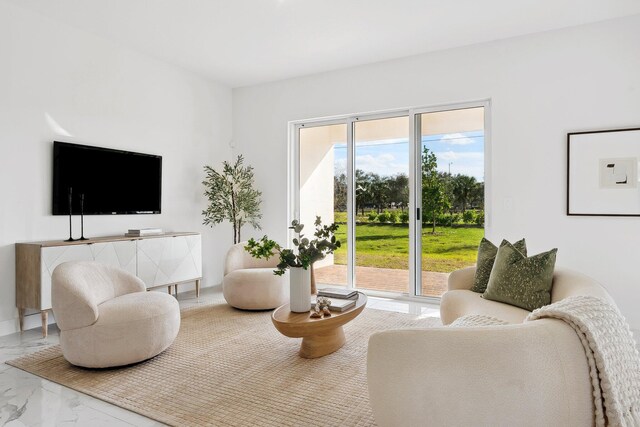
{"points": [[308, 251]]}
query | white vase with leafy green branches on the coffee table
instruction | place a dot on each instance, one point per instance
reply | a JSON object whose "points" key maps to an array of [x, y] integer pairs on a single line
{"points": [[299, 260]]}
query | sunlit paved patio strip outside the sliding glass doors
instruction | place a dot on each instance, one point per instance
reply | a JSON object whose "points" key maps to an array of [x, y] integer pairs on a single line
{"points": [[383, 279]]}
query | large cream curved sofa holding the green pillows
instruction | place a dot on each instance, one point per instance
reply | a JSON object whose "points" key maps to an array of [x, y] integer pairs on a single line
{"points": [[520, 374]]}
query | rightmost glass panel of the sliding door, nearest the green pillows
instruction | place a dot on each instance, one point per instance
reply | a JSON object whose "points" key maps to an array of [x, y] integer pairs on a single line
{"points": [[452, 193]]}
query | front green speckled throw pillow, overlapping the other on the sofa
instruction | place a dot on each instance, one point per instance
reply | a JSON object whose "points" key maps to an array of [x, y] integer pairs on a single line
{"points": [[521, 281]]}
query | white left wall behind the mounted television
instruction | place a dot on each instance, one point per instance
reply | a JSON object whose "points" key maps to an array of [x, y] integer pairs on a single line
{"points": [[108, 96]]}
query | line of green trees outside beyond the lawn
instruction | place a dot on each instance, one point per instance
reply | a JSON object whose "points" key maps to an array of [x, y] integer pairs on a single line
{"points": [[442, 192]]}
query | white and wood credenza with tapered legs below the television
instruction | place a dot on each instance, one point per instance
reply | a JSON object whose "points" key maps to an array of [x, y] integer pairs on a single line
{"points": [[160, 260]]}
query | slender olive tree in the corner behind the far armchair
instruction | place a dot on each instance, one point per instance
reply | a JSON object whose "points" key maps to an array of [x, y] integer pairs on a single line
{"points": [[232, 197]]}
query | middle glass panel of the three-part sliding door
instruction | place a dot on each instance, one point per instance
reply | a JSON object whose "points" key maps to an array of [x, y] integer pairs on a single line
{"points": [[382, 203]]}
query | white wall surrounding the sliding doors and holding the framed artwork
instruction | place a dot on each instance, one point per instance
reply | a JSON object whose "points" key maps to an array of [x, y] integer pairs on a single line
{"points": [[541, 86]]}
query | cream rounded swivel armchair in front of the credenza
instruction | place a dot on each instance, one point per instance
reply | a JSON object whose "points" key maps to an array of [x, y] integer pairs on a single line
{"points": [[107, 318]]}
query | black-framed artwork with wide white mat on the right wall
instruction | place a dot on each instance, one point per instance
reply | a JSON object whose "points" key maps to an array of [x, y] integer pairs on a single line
{"points": [[602, 173]]}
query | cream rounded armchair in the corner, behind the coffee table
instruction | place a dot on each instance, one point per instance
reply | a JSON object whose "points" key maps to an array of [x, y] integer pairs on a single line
{"points": [[249, 283]]}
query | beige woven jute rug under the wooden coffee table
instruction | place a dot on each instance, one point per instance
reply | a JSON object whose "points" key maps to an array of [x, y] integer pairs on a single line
{"points": [[232, 368]]}
